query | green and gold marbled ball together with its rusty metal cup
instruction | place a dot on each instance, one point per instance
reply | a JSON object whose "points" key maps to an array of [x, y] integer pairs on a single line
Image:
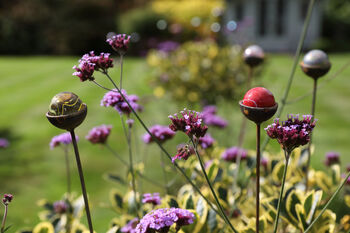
{"points": [[66, 111]]}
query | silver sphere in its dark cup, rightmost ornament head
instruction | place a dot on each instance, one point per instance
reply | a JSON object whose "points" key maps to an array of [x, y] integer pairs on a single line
{"points": [[315, 64]]}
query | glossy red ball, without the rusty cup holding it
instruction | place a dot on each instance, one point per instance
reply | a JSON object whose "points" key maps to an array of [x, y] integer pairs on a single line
{"points": [[259, 97]]}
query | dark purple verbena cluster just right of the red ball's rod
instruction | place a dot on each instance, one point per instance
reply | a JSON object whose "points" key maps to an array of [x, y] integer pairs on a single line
{"points": [[293, 132]]}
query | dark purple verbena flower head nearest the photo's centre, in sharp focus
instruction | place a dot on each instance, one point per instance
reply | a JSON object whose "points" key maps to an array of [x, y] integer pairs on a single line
{"points": [[189, 122]]}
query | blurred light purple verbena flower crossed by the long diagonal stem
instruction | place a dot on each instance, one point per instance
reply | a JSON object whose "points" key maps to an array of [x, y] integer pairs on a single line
{"points": [[114, 99]]}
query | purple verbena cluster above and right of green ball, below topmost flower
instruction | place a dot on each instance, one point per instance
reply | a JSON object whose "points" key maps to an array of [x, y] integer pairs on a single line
{"points": [[89, 63]]}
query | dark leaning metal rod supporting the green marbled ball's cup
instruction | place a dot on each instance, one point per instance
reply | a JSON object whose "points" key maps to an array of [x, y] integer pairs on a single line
{"points": [[82, 182]]}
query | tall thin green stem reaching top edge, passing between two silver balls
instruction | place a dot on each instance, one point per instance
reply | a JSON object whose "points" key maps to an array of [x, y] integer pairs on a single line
{"points": [[295, 63]]}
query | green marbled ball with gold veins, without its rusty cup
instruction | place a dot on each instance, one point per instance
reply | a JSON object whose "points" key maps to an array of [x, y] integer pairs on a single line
{"points": [[65, 103]]}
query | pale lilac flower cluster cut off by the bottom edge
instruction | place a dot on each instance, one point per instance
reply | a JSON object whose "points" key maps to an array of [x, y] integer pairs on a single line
{"points": [[162, 219]]}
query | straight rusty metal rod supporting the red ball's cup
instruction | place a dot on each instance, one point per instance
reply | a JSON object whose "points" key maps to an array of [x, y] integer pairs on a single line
{"points": [[257, 177]]}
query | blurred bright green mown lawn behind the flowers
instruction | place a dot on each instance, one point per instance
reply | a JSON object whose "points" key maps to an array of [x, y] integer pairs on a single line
{"points": [[31, 171]]}
